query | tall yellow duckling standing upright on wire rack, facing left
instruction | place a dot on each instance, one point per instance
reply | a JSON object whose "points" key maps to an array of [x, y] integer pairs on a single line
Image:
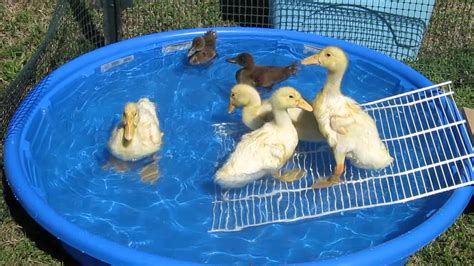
{"points": [[349, 130]]}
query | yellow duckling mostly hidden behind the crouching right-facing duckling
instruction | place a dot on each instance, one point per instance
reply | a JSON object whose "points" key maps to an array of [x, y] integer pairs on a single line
{"points": [[256, 112]]}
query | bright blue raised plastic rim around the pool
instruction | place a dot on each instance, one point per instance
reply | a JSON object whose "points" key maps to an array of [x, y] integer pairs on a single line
{"points": [[391, 251]]}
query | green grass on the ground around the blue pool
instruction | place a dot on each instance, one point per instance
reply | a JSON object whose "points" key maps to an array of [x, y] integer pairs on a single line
{"points": [[22, 25]]}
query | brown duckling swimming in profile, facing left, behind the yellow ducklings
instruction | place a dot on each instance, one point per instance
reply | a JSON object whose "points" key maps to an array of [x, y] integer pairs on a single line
{"points": [[264, 76]]}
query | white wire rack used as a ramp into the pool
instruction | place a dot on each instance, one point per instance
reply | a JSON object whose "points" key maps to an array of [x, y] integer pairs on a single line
{"points": [[425, 134]]}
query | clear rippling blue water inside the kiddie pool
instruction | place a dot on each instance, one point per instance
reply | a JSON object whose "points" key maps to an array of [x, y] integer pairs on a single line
{"points": [[172, 217]]}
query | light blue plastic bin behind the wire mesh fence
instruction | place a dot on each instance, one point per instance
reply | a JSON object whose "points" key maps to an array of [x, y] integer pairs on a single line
{"points": [[391, 27]]}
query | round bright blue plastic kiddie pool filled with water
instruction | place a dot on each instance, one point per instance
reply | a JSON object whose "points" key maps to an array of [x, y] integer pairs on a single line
{"points": [[56, 147]]}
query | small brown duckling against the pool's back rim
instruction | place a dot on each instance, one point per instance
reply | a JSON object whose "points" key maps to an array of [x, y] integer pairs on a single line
{"points": [[203, 49]]}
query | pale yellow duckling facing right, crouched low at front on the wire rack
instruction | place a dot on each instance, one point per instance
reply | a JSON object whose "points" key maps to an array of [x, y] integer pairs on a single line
{"points": [[267, 149]]}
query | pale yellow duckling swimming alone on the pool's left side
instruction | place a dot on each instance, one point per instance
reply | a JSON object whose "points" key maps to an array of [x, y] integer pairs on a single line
{"points": [[137, 136]]}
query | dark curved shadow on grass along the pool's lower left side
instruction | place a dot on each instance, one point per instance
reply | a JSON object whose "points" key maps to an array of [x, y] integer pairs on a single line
{"points": [[42, 238]]}
